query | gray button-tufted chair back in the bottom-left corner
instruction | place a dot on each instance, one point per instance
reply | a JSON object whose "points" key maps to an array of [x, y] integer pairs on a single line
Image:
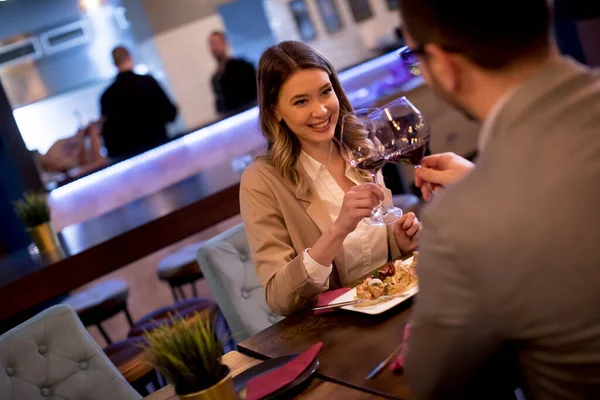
{"points": [[53, 356]]}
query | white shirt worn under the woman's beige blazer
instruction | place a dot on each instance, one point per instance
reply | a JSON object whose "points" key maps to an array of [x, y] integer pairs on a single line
{"points": [[364, 249]]}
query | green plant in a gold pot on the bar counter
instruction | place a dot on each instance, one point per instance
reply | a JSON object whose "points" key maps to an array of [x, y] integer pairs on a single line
{"points": [[34, 212]]}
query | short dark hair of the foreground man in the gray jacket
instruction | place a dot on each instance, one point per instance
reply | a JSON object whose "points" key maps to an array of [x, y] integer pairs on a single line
{"points": [[491, 34]]}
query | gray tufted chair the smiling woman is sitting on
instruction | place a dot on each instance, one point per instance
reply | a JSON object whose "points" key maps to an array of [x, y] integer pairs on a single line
{"points": [[227, 267]]}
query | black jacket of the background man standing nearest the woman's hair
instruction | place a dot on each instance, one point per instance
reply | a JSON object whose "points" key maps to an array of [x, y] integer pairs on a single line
{"points": [[235, 86]]}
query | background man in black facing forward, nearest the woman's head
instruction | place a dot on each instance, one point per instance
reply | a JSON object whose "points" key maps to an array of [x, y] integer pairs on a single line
{"points": [[234, 82]]}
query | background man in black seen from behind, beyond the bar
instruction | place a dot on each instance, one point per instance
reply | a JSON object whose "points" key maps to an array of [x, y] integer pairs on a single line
{"points": [[134, 110]]}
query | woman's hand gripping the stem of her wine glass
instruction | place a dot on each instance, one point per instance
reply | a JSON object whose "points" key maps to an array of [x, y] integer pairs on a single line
{"points": [[358, 203]]}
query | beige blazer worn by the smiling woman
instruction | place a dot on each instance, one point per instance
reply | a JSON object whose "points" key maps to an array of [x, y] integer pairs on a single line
{"points": [[280, 224]]}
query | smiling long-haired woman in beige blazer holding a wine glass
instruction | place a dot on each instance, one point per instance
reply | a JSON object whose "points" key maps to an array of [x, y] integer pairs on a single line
{"points": [[302, 205]]}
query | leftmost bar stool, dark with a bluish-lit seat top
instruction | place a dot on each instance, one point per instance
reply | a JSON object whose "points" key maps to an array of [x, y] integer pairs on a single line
{"points": [[100, 302]]}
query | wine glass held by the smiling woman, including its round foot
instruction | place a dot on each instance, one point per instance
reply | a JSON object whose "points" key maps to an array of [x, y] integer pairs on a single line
{"points": [[365, 142]]}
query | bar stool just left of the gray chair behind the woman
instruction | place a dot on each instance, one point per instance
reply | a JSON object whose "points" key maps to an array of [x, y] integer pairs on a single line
{"points": [[181, 268]]}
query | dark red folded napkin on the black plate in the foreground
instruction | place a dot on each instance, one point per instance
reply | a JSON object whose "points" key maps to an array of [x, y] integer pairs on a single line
{"points": [[268, 383]]}
